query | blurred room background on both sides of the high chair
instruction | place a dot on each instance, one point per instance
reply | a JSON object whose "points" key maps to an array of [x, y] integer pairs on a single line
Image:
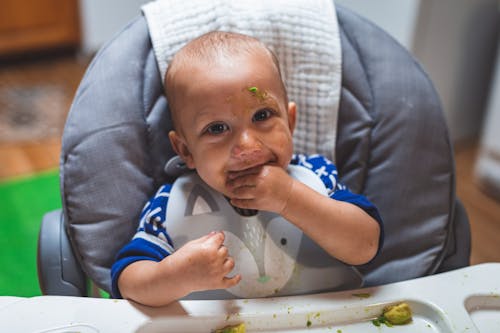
{"points": [[46, 45]]}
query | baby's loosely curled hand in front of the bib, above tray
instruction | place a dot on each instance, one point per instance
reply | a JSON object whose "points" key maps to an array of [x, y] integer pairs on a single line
{"points": [[204, 264]]}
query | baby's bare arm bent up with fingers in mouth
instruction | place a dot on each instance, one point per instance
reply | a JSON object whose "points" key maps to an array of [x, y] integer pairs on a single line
{"points": [[342, 229]]}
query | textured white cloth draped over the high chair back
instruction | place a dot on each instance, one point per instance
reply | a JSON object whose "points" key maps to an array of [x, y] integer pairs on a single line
{"points": [[303, 34]]}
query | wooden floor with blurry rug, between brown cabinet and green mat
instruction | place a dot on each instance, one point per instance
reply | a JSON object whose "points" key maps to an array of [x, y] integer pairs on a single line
{"points": [[35, 95]]}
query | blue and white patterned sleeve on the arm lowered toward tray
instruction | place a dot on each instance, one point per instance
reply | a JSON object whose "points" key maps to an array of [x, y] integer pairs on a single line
{"points": [[151, 241]]}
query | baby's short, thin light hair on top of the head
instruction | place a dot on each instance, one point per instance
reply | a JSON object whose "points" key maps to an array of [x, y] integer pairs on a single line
{"points": [[213, 46]]}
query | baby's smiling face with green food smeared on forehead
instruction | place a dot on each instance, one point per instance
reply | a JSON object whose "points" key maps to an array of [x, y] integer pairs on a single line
{"points": [[232, 117]]}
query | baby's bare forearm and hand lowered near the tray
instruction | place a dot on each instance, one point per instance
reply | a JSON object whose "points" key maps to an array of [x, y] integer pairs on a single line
{"points": [[201, 264]]}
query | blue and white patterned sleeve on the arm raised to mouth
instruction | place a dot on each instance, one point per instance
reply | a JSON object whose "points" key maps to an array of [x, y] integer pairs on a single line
{"points": [[328, 174]]}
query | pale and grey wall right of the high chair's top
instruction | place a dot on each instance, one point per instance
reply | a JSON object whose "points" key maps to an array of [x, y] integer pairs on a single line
{"points": [[455, 41]]}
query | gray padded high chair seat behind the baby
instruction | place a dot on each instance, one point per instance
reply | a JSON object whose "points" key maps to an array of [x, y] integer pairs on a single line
{"points": [[392, 146]]}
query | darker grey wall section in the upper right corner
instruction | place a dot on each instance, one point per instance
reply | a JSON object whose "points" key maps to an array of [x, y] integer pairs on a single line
{"points": [[455, 40]]}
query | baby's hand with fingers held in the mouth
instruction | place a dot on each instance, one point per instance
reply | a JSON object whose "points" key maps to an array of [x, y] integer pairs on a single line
{"points": [[265, 187]]}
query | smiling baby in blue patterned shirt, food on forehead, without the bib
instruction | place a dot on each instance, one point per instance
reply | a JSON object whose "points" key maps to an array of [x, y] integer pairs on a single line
{"points": [[233, 124]]}
